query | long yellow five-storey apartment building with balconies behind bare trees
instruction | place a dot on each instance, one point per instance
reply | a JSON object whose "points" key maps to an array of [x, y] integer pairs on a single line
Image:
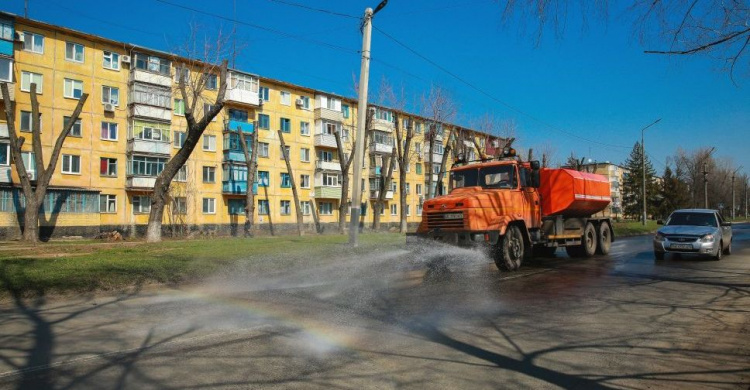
{"points": [[133, 122]]}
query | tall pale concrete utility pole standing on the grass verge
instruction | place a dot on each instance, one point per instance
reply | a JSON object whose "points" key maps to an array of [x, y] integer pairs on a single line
{"points": [[359, 150]]}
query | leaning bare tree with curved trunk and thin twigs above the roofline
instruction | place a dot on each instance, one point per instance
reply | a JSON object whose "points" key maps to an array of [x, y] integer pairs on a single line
{"points": [[193, 74]]}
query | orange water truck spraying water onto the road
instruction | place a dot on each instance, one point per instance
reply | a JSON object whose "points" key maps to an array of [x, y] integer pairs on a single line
{"points": [[518, 210]]}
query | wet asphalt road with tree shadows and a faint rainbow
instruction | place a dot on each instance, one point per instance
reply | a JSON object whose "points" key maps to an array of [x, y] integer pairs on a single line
{"points": [[390, 321]]}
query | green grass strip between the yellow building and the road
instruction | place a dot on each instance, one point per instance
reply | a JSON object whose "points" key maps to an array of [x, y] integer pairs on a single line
{"points": [[85, 266]]}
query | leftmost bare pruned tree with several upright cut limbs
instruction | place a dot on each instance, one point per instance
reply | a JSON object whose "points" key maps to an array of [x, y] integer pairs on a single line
{"points": [[34, 195]]}
